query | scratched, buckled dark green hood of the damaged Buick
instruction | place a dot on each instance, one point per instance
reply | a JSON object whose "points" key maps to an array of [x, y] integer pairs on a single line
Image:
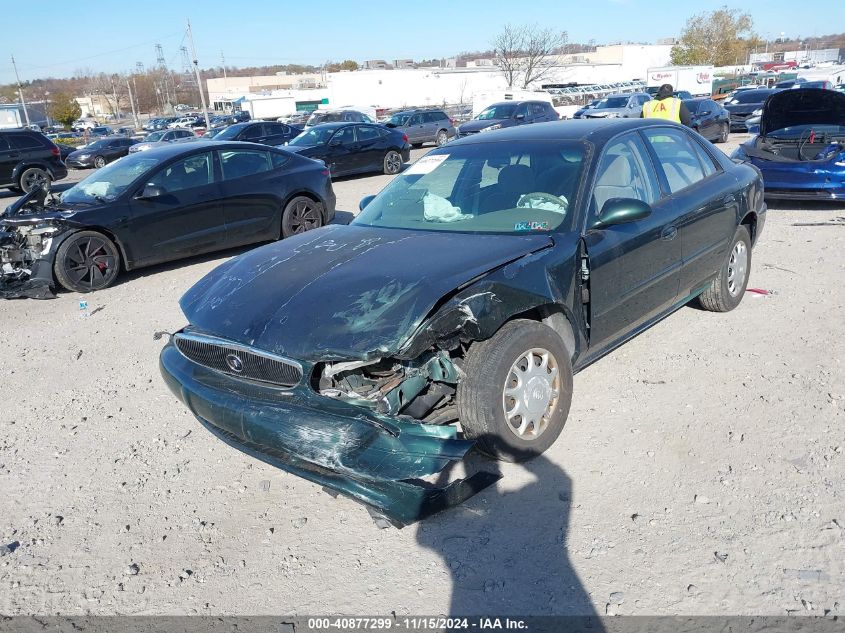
{"points": [[343, 292]]}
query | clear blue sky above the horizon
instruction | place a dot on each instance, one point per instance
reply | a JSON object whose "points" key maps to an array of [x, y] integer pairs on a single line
{"points": [[111, 37]]}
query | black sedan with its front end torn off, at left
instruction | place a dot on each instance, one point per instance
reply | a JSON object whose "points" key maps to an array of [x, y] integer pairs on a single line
{"points": [[163, 204]]}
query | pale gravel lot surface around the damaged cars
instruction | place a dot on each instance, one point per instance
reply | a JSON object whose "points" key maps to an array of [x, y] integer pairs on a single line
{"points": [[701, 471]]}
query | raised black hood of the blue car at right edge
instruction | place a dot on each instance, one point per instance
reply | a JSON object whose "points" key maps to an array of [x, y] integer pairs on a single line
{"points": [[802, 106]]}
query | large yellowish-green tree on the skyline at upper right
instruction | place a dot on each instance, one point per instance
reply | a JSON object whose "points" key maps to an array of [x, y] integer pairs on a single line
{"points": [[721, 38]]}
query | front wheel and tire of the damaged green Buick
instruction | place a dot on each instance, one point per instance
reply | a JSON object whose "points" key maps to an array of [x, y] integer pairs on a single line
{"points": [[516, 395]]}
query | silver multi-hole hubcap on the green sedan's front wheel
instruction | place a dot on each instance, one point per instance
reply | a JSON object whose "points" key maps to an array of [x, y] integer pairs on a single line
{"points": [[531, 393]]}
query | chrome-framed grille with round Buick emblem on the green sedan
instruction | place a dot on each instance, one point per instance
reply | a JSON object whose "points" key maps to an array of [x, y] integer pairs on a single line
{"points": [[237, 360]]}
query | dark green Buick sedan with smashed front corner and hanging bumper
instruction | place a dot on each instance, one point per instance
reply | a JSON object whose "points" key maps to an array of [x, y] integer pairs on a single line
{"points": [[468, 292]]}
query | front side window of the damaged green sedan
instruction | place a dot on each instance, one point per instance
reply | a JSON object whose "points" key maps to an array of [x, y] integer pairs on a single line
{"points": [[624, 172]]}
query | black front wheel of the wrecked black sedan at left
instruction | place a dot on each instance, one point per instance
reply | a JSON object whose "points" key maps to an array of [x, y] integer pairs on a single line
{"points": [[87, 261]]}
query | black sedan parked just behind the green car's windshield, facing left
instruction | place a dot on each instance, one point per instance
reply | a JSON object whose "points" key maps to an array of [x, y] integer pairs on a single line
{"points": [[354, 148]]}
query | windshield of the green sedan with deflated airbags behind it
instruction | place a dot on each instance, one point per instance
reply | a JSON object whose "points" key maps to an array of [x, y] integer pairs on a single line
{"points": [[483, 188]]}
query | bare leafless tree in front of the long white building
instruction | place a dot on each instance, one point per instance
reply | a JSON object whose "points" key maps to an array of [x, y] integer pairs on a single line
{"points": [[524, 53]]}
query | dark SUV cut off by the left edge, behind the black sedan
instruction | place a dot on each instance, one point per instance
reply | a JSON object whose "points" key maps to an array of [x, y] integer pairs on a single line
{"points": [[28, 159]]}
